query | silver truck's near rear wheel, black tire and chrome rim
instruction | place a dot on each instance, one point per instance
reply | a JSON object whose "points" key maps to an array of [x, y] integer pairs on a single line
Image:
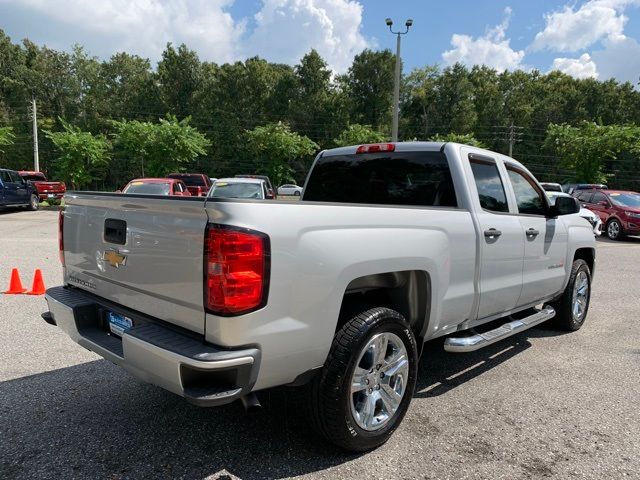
{"points": [[365, 387]]}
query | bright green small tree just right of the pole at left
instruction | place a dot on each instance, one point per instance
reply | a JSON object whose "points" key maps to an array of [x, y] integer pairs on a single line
{"points": [[84, 157]]}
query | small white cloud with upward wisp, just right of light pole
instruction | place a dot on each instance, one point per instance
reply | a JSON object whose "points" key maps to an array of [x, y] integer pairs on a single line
{"points": [[491, 49]]}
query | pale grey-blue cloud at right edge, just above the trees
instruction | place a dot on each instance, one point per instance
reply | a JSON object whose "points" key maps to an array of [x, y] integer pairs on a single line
{"points": [[620, 59]]}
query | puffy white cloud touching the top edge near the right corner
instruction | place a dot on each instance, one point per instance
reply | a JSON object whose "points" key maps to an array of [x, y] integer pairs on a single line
{"points": [[571, 29]]}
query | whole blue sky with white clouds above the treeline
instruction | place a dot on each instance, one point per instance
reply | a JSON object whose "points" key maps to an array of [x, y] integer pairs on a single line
{"points": [[585, 38]]}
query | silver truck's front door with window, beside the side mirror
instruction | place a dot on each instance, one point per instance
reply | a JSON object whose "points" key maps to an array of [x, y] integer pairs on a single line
{"points": [[545, 246]]}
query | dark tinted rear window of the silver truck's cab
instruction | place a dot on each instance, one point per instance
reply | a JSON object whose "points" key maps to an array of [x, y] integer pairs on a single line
{"points": [[390, 178]]}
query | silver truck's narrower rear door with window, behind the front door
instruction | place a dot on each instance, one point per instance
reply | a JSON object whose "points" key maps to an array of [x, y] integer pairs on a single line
{"points": [[501, 238]]}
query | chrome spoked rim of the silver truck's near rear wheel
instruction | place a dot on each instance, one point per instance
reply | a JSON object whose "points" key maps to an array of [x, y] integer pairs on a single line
{"points": [[379, 381]]}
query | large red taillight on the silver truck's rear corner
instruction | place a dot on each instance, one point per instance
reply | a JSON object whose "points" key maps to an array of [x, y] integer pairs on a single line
{"points": [[236, 270]]}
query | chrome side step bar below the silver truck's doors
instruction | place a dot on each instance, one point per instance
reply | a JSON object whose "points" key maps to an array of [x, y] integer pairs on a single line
{"points": [[480, 340]]}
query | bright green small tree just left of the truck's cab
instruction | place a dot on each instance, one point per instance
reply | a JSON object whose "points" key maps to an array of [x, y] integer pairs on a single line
{"points": [[277, 148]]}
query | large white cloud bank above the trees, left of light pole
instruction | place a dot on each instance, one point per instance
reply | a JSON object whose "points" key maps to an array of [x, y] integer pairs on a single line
{"points": [[284, 29]]}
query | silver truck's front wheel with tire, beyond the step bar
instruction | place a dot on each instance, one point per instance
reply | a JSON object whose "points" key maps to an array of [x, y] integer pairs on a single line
{"points": [[573, 305]]}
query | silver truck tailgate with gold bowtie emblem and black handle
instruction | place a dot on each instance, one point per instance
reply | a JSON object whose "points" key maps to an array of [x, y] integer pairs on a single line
{"points": [[157, 265]]}
